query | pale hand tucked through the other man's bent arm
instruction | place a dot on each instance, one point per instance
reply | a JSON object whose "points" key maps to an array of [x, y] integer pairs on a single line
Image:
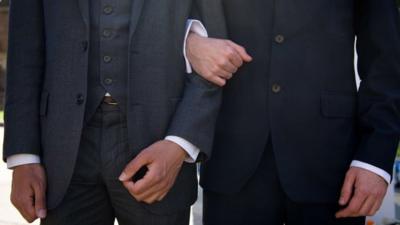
{"points": [[216, 60]]}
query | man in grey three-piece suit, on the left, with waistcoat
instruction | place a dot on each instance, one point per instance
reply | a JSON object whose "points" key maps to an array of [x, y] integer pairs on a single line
{"points": [[91, 86]]}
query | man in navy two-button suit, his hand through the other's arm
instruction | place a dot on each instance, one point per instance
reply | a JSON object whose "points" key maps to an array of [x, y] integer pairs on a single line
{"points": [[296, 143]]}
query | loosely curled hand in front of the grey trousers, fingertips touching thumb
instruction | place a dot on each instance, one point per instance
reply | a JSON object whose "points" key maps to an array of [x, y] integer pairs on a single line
{"points": [[164, 160]]}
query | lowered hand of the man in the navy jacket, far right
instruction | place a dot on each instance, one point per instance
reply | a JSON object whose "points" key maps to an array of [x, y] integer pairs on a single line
{"points": [[362, 192]]}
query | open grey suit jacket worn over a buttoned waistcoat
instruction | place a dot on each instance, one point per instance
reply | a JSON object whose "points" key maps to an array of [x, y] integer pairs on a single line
{"points": [[47, 85]]}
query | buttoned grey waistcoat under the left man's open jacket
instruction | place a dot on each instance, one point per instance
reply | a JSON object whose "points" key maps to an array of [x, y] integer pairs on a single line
{"points": [[108, 54]]}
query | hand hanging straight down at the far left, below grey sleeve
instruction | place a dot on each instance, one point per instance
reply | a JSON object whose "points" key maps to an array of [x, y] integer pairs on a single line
{"points": [[28, 193]]}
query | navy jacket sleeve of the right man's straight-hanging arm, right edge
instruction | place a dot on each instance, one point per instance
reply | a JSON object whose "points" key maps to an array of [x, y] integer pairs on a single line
{"points": [[378, 46]]}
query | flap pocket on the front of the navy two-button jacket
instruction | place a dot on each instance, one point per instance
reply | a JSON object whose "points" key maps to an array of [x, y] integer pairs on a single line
{"points": [[338, 105]]}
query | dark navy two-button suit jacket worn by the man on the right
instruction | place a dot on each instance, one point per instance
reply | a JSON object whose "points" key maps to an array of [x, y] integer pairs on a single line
{"points": [[299, 93]]}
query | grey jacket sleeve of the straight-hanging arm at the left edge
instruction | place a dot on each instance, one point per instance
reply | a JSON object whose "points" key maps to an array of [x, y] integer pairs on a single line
{"points": [[24, 78]]}
